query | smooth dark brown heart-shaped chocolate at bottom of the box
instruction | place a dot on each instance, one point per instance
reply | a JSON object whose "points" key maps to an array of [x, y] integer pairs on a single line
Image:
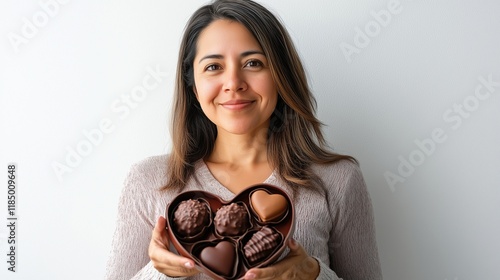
{"points": [[220, 258]]}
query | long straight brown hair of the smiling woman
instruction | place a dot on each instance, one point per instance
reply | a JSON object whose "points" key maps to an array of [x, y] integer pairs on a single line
{"points": [[294, 137]]}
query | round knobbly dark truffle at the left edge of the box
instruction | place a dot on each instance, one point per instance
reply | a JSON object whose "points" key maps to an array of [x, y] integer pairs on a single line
{"points": [[191, 217]]}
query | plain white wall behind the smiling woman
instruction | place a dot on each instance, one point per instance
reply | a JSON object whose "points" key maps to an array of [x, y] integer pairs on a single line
{"points": [[442, 222]]}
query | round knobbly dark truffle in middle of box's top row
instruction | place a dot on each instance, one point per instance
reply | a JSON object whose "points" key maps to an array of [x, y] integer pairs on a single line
{"points": [[231, 220]]}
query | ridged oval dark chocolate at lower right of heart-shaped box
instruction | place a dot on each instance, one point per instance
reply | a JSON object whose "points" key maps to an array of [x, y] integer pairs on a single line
{"points": [[262, 243]]}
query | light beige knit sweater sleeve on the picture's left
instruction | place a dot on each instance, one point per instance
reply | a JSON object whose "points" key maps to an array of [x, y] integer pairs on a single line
{"points": [[137, 212]]}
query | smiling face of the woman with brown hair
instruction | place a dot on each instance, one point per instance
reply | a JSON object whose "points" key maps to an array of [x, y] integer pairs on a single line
{"points": [[233, 82]]}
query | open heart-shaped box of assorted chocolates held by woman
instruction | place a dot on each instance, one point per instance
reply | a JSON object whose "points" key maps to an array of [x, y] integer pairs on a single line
{"points": [[214, 252]]}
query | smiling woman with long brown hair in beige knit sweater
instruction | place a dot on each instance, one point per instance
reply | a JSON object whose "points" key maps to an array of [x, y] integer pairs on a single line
{"points": [[243, 114]]}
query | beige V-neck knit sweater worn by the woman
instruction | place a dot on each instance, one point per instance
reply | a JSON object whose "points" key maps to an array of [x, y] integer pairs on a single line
{"points": [[339, 232]]}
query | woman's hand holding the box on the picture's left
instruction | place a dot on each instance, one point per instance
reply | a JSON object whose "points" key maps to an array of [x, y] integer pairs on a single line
{"points": [[165, 261]]}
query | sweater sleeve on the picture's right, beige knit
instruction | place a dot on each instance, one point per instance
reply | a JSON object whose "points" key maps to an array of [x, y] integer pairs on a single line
{"points": [[352, 245]]}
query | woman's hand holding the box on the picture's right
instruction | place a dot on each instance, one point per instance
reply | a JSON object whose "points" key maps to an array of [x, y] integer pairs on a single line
{"points": [[296, 265]]}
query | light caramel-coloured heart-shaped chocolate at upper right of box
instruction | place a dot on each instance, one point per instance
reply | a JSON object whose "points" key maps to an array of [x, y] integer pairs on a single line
{"points": [[269, 207]]}
